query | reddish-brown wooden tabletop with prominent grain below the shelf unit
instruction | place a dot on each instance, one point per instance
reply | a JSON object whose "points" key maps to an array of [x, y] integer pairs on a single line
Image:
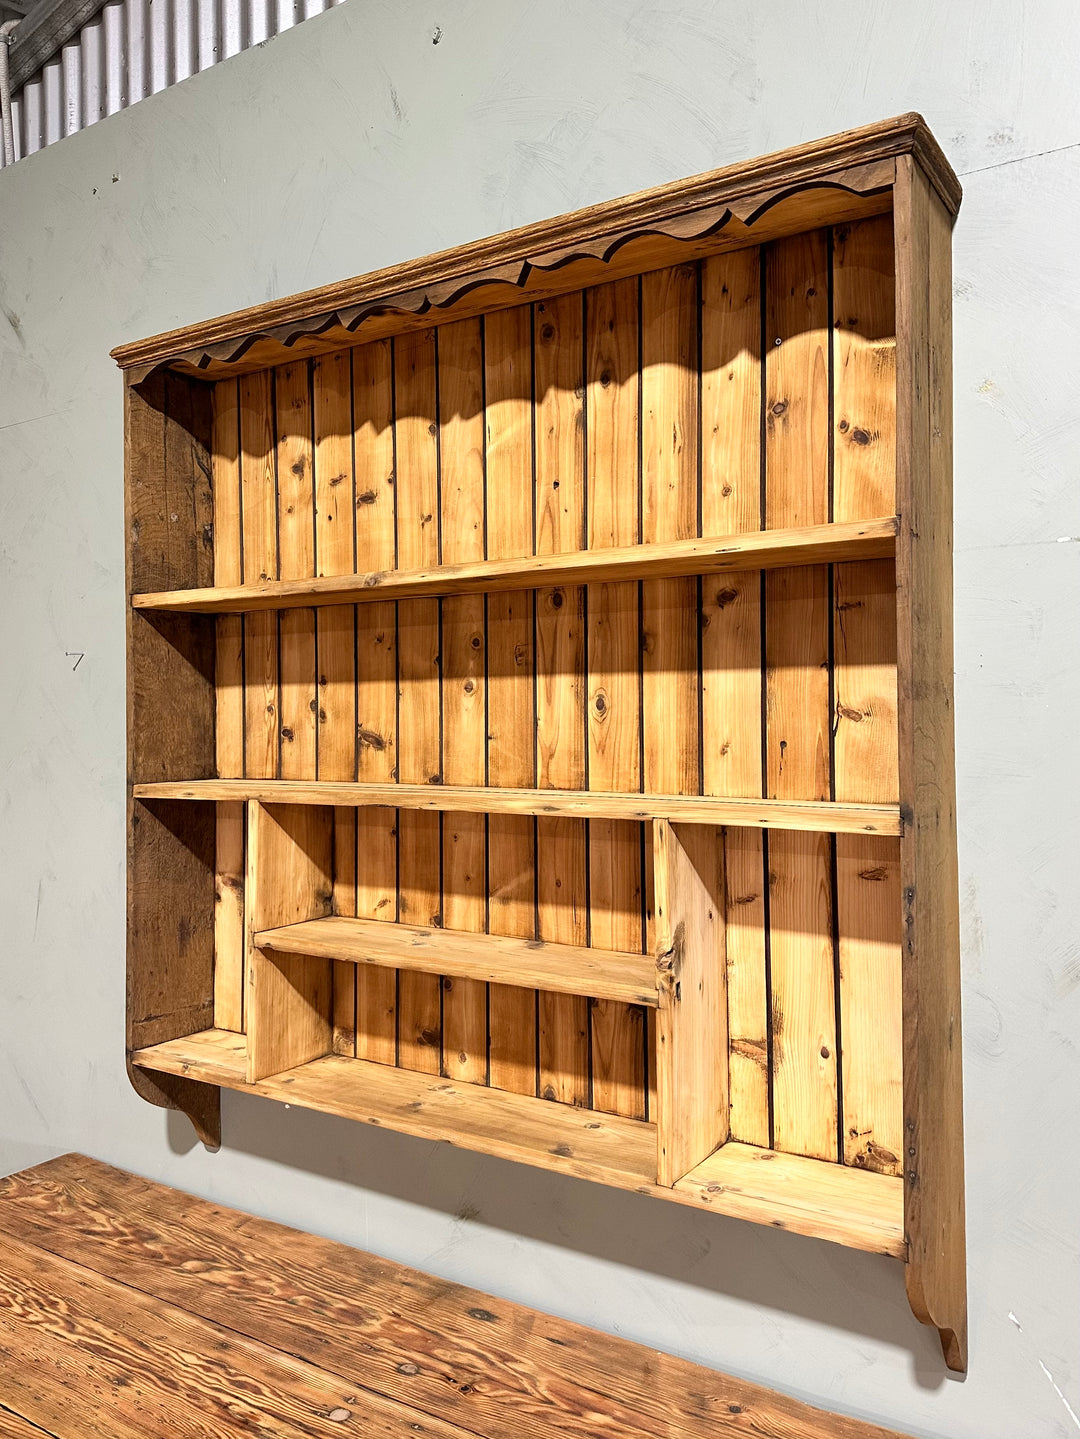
{"points": [[133, 1312]]}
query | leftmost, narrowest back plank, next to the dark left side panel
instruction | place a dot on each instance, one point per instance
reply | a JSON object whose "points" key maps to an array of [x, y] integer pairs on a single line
{"points": [[229, 866]]}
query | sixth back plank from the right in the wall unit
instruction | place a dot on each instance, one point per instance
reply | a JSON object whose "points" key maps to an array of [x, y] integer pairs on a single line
{"points": [[562, 857]]}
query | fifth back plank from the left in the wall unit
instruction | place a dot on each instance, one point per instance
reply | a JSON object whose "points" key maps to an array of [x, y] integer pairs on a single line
{"points": [[373, 408]]}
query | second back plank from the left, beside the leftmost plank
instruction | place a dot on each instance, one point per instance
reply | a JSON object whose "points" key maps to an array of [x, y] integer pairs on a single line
{"points": [[260, 509]]}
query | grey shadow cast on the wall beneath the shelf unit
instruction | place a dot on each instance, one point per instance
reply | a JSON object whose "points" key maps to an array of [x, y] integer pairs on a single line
{"points": [[809, 1279]]}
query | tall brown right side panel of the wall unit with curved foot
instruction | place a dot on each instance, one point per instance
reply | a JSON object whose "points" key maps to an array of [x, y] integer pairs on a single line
{"points": [[934, 1120]]}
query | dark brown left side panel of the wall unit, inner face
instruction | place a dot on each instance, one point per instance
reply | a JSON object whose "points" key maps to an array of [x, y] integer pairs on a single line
{"points": [[170, 727]]}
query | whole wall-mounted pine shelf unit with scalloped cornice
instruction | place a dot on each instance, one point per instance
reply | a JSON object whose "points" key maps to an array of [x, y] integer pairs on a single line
{"points": [[541, 702]]}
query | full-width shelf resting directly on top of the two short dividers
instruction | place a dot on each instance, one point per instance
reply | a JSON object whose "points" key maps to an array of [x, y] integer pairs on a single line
{"points": [[688, 809]]}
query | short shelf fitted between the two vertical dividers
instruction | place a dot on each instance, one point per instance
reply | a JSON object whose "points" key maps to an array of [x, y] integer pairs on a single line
{"points": [[567, 969]]}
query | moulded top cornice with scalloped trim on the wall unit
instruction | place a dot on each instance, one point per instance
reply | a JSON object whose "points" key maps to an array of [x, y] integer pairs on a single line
{"points": [[741, 204]]}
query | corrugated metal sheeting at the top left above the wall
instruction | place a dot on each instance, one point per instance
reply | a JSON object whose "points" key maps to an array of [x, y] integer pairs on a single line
{"points": [[137, 48]]}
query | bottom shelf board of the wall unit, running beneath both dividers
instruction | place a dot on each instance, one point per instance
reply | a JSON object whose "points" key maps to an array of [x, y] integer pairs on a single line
{"points": [[851, 1207]]}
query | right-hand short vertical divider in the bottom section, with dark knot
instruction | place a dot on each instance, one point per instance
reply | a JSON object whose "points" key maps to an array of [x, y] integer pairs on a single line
{"points": [[692, 1025]]}
